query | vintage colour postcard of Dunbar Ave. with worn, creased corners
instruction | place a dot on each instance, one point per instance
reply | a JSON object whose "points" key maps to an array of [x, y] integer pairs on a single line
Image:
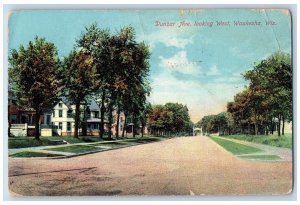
{"points": [[150, 102]]}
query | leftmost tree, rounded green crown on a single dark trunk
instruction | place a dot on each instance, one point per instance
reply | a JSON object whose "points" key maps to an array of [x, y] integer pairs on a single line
{"points": [[33, 70]]}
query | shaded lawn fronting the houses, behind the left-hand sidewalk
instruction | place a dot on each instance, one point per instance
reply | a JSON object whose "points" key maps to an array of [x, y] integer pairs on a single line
{"points": [[22, 142]]}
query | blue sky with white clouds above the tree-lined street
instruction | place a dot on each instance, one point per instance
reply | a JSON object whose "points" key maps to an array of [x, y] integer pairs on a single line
{"points": [[198, 63]]}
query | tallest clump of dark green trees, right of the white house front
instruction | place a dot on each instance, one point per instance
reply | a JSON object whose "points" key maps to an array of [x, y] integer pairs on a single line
{"points": [[122, 67]]}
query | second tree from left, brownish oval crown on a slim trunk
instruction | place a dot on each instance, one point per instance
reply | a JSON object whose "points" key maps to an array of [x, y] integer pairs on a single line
{"points": [[79, 80]]}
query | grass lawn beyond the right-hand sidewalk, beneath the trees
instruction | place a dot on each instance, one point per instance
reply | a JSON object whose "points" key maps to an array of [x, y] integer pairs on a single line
{"points": [[272, 140]]}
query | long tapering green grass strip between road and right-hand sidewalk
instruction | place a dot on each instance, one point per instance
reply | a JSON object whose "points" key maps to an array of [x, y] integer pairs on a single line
{"points": [[235, 148]]}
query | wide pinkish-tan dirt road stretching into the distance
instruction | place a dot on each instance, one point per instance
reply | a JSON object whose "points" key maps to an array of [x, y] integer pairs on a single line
{"points": [[179, 166]]}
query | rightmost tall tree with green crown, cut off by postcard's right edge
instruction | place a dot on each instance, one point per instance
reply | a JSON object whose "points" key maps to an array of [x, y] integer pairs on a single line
{"points": [[271, 82]]}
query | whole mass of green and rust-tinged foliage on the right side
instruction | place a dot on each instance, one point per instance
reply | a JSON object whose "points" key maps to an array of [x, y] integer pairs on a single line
{"points": [[268, 98]]}
